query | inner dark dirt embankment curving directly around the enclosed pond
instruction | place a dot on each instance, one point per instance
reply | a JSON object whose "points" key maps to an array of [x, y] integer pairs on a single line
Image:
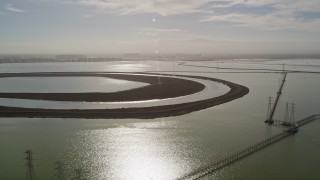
{"points": [[159, 87]]}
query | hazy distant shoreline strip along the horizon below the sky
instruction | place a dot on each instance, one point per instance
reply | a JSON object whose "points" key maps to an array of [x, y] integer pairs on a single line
{"points": [[43, 58]]}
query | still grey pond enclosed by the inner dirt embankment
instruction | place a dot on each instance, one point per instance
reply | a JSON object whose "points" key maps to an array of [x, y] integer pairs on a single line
{"points": [[65, 84]]}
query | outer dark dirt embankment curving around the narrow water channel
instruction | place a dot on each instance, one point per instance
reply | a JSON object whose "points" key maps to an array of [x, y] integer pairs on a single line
{"points": [[237, 91]]}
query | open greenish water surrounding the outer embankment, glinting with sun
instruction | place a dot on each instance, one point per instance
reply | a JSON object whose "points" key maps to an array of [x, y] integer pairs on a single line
{"points": [[167, 148]]}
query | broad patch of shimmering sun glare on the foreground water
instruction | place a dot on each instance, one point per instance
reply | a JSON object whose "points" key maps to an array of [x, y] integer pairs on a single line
{"points": [[129, 153]]}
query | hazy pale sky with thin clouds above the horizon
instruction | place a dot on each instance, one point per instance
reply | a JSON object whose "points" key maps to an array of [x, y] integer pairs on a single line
{"points": [[159, 26]]}
